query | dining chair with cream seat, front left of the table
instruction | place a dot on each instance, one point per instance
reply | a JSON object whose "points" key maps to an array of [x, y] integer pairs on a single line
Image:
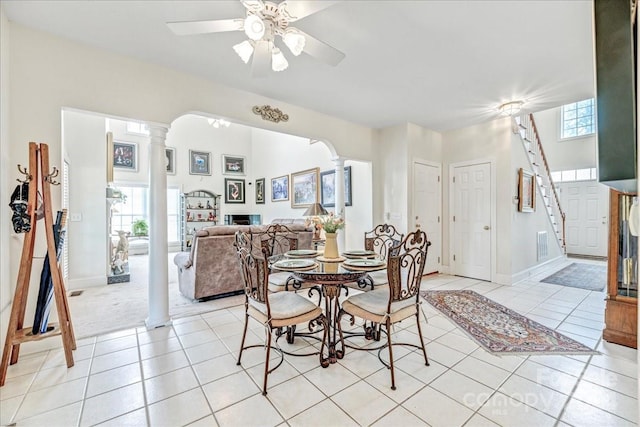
{"points": [[274, 311]]}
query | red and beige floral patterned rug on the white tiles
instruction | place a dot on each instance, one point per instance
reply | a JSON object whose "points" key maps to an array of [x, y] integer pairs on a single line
{"points": [[499, 329]]}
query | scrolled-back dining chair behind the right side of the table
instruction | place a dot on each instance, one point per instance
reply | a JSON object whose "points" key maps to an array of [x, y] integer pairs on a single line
{"points": [[380, 240]]}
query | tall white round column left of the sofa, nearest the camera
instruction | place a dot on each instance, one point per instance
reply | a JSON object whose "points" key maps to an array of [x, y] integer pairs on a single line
{"points": [[158, 249]]}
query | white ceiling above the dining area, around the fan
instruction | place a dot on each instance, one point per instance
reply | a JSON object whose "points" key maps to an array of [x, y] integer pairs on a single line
{"points": [[439, 64]]}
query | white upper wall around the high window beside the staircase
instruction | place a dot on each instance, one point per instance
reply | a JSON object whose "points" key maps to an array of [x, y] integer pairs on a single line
{"points": [[575, 153]]}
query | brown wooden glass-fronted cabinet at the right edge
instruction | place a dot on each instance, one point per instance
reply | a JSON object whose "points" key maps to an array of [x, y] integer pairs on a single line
{"points": [[621, 313]]}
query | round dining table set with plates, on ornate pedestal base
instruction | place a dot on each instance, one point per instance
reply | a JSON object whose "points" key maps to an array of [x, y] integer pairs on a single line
{"points": [[330, 275]]}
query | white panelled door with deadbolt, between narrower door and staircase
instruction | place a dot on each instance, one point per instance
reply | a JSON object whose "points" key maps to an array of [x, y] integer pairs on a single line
{"points": [[471, 221]]}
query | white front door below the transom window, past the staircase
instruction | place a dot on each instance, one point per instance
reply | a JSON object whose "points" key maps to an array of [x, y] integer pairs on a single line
{"points": [[586, 205]]}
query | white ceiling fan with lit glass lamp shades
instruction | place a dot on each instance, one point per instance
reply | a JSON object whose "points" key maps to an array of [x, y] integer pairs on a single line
{"points": [[264, 21]]}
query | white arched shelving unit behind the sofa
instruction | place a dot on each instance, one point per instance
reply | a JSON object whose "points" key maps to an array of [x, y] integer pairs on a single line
{"points": [[199, 209]]}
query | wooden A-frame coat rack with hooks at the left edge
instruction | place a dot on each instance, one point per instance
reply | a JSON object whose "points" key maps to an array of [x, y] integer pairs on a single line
{"points": [[38, 174]]}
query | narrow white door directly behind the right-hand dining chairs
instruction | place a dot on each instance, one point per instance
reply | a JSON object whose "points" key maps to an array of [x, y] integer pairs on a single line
{"points": [[427, 203]]}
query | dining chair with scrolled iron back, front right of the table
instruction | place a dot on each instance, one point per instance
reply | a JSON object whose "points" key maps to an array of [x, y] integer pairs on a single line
{"points": [[397, 302]]}
